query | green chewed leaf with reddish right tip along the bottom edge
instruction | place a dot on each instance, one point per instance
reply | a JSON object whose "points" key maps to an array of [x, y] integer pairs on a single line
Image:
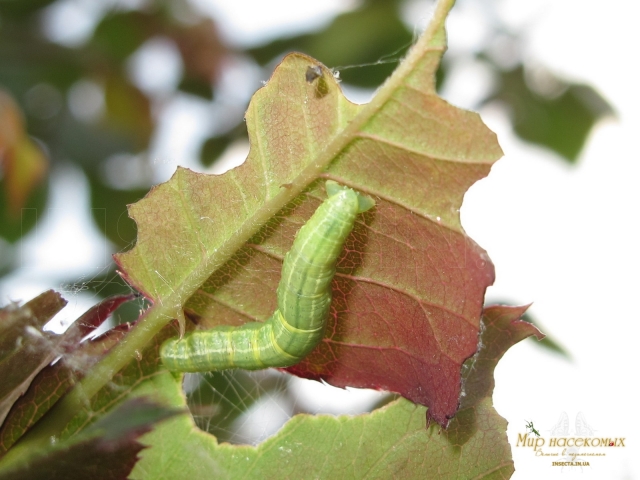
{"points": [[392, 442]]}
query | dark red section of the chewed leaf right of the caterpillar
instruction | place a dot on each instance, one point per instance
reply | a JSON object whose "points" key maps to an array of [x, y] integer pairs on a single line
{"points": [[420, 322]]}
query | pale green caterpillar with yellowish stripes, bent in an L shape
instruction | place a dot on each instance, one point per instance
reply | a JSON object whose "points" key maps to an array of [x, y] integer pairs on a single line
{"points": [[304, 298]]}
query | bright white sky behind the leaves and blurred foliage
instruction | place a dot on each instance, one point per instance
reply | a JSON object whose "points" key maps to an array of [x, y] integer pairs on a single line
{"points": [[562, 237]]}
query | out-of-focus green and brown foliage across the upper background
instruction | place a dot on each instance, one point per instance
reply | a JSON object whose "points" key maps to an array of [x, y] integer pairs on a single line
{"points": [[56, 84]]}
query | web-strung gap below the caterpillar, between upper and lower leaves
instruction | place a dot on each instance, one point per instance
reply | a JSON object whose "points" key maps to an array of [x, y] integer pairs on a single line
{"points": [[246, 408]]}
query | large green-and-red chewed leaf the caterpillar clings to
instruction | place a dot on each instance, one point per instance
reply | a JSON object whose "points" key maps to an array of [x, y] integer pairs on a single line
{"points": [[410, 286]]}
